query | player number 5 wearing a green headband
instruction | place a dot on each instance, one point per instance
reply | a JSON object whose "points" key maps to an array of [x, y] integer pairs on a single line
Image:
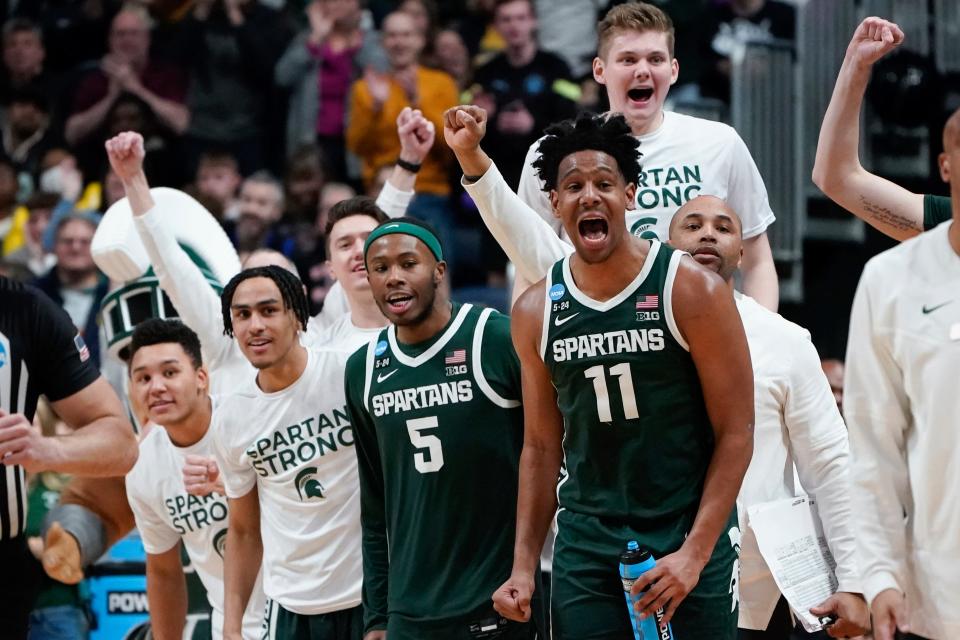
{"points": [[435, 405]]}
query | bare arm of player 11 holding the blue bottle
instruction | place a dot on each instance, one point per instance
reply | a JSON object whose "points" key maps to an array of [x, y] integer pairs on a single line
{"points": [[710, 323]]}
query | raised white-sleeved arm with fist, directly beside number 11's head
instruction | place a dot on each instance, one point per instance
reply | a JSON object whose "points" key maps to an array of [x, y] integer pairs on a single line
{"points": [[526, 238]]}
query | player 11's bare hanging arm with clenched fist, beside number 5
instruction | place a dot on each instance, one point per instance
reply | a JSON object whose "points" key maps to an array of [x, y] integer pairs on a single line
{"points": [[539, 461]]}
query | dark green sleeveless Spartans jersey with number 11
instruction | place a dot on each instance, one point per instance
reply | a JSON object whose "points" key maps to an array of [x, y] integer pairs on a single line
{"points": [[637, 439]]}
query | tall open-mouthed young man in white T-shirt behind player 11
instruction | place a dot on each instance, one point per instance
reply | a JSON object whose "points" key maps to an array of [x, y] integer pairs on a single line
{"points": [[682, 156]]}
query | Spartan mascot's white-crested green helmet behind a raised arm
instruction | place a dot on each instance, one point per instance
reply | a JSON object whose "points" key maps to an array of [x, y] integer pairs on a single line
{"points": [[119, 253]]}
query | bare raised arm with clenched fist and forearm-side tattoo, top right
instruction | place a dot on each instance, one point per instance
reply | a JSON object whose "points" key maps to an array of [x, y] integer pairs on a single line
{"points": [[884, 205]]}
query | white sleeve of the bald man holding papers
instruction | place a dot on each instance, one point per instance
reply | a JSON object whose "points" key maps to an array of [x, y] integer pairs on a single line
{"points": [[818, 439]]}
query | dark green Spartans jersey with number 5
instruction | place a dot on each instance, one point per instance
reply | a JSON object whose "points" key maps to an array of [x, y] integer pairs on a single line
{"points": [[439, 430]]}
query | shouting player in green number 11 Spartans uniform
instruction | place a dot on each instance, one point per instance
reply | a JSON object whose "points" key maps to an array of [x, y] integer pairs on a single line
{"points": [[638, 393]]}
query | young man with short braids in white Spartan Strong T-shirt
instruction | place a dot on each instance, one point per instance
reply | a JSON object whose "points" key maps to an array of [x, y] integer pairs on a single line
{"points": [[285, 445]]}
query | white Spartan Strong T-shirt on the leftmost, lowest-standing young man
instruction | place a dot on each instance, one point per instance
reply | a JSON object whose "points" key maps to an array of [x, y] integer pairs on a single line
{"points": [[165, 514]]}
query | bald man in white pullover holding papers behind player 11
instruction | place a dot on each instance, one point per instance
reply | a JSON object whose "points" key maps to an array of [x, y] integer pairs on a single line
{"points": [[797, 423]]}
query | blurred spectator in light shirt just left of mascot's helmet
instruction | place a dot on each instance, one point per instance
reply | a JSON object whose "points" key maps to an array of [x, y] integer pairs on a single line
{"points": [[75, 283]]}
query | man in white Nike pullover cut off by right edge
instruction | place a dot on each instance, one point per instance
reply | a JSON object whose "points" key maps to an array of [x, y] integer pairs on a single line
{"points": [[901, 403]]}
